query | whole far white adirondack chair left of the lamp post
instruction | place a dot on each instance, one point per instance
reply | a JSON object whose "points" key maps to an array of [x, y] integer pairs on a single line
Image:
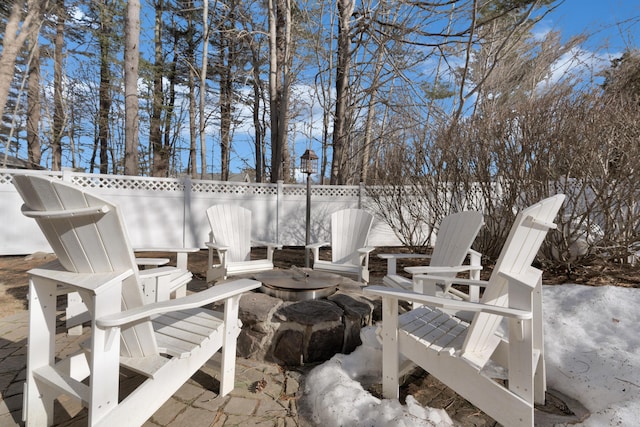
{"points": [[231, 241]]}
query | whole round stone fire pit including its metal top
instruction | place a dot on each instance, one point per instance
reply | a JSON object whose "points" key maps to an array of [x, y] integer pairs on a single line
{"points": [[301, 316]]}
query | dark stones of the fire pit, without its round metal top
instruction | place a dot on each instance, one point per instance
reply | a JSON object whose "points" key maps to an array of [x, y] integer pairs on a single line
{"points": [[294, 333]]}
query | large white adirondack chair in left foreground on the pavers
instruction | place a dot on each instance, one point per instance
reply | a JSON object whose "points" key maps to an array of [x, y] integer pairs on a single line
{"points": [[167, 342]]}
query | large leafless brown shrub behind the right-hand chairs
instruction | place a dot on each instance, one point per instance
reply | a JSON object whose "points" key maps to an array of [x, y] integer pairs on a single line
{"points": [[584, 145]]}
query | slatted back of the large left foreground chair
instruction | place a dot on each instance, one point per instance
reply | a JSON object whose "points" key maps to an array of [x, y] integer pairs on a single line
{"points": [[88, 235]]}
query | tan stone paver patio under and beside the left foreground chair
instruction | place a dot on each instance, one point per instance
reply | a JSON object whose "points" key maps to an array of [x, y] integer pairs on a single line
{"points": [[196, 404]]}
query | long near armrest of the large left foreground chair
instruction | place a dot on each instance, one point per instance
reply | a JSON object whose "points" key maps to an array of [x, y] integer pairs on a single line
{"points": [[195, 300]]}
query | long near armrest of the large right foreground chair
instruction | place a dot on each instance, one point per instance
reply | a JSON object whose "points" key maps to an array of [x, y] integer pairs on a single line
{"points": [[447, 303]]}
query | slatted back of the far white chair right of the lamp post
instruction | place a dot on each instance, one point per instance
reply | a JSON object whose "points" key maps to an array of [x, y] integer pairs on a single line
{"points": [[349, 232]]}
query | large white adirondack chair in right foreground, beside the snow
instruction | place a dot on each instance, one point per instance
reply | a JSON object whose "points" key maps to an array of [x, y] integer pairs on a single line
{"points": [[467, 357]]}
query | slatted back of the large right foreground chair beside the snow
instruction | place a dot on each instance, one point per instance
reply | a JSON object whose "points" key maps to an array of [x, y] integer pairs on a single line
{"points": [[525, 238]]}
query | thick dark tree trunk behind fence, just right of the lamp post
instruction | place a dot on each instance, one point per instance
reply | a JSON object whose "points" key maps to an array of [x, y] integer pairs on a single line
{"points": [[338, 172]]}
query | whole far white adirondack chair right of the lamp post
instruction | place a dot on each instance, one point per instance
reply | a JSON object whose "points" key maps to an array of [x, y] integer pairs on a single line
{"points": [[349, 251]]}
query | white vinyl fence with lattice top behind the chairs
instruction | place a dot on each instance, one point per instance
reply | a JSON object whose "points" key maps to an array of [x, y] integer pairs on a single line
{"points": [[170, 213]]}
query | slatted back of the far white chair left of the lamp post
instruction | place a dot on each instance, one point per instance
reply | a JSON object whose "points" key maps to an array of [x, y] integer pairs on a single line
{"points": [[231, 226]]}
